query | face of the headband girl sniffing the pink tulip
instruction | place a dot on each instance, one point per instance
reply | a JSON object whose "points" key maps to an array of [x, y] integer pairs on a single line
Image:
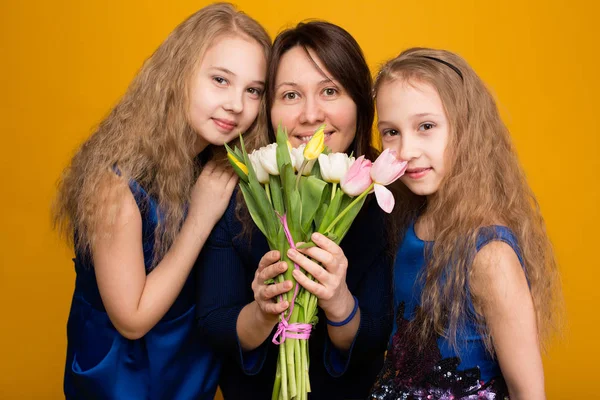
{"points": [[412, 121]]}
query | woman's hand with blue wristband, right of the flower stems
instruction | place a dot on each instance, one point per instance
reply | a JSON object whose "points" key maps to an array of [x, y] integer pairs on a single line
{"points": [[331, 289]]}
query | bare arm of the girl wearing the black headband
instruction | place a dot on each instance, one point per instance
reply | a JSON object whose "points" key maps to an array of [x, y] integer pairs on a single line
{"points": [[502, 296]]}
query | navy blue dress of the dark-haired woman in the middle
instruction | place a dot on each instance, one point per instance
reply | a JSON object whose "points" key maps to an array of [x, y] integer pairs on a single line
{"points": [[228, 263]]}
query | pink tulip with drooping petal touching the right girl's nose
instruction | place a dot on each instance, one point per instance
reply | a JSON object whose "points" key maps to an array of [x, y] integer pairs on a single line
{"points": [[386, 169]]}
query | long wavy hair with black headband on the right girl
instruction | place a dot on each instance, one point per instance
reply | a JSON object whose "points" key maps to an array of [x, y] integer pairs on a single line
{"points": [[485, 185]]}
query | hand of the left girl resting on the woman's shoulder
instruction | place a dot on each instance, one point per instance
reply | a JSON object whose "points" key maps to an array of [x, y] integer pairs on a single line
{"points": [[211, 192]]}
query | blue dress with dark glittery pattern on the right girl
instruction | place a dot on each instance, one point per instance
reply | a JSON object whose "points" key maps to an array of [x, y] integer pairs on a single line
{"points": [[436, 371]]}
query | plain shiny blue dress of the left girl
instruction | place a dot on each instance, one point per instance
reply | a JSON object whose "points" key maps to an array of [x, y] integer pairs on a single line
{"points": [[169, 362]]}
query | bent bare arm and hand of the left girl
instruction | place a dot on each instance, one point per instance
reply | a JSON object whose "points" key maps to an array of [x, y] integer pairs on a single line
{"points": [[134, 301]]}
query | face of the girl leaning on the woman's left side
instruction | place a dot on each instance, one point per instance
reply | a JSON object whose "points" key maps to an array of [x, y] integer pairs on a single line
{"points": [[226, 90]]}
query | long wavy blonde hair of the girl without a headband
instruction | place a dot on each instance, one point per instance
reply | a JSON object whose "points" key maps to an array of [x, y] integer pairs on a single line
{"points": [[148, 136]]}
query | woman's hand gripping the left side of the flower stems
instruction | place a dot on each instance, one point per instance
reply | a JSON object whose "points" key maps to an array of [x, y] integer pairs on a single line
{"points": [[266, 294]]}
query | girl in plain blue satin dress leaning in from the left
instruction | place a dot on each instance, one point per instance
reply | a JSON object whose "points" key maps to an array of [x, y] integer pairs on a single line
{"points": [[141, 196]]}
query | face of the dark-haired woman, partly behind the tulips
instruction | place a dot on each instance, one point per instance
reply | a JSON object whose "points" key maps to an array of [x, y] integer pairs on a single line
{"points": [[306, 97]]}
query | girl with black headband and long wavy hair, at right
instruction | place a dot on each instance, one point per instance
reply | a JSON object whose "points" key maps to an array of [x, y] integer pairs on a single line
{"points": [[476, 281]]}
